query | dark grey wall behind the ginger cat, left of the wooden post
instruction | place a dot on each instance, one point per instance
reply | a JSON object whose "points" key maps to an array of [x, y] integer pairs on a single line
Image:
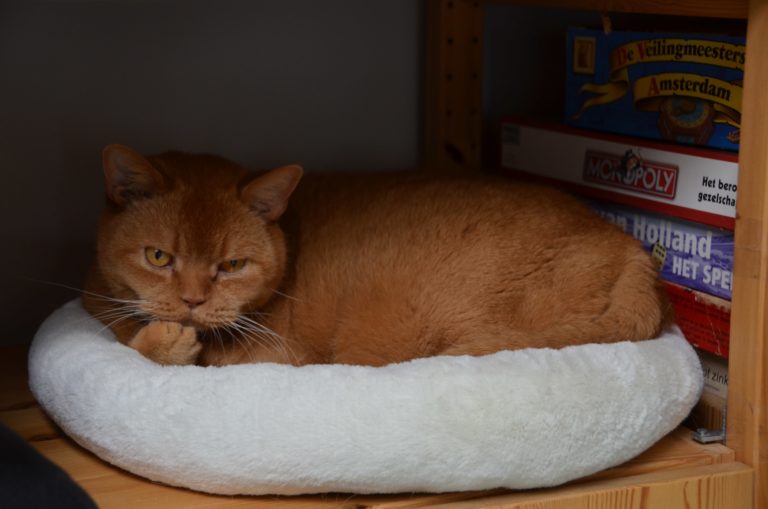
{"points": [[330, 84]]}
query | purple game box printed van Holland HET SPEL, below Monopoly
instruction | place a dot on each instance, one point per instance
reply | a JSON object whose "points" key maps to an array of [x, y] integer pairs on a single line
{"points": [[688, 254]]}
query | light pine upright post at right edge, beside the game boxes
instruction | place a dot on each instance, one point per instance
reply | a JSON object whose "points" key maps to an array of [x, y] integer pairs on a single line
{"points": [[749, 318]]}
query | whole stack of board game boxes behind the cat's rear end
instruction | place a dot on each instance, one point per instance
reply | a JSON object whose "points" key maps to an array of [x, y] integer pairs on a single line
{"points": [[650, 139]]}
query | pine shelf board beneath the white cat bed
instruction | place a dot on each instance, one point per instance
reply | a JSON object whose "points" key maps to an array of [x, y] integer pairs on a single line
{"points": [[662, 472]]}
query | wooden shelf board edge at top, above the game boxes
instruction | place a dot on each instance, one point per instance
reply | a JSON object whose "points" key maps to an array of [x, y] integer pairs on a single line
{"points": [[735, 9]]}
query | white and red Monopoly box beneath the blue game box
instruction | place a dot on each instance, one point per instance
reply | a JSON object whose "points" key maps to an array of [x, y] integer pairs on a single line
{"points": [[687, 182]]}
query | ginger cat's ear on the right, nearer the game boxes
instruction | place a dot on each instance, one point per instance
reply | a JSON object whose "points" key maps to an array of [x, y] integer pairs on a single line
{"points": [[268, 194]]}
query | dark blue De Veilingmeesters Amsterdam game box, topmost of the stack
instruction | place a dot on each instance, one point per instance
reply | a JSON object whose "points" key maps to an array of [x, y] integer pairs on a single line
{"points": [[680, 87]]}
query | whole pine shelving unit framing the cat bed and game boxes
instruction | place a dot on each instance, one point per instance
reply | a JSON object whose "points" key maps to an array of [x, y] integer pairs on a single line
{"points": [[676, 472]]}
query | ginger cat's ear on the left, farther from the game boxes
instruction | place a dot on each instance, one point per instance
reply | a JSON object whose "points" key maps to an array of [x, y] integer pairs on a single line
{"points": [[128, 175]]}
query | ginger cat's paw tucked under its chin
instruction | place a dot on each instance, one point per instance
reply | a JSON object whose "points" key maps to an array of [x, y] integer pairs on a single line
{"points": [[167, 343]]}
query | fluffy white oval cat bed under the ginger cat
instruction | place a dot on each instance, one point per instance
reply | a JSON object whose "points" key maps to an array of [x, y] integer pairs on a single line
{"points": [[522, 419]]}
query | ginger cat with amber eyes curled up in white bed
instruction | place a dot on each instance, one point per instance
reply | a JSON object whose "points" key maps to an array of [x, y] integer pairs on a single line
{"points": [[200, 261]]}
